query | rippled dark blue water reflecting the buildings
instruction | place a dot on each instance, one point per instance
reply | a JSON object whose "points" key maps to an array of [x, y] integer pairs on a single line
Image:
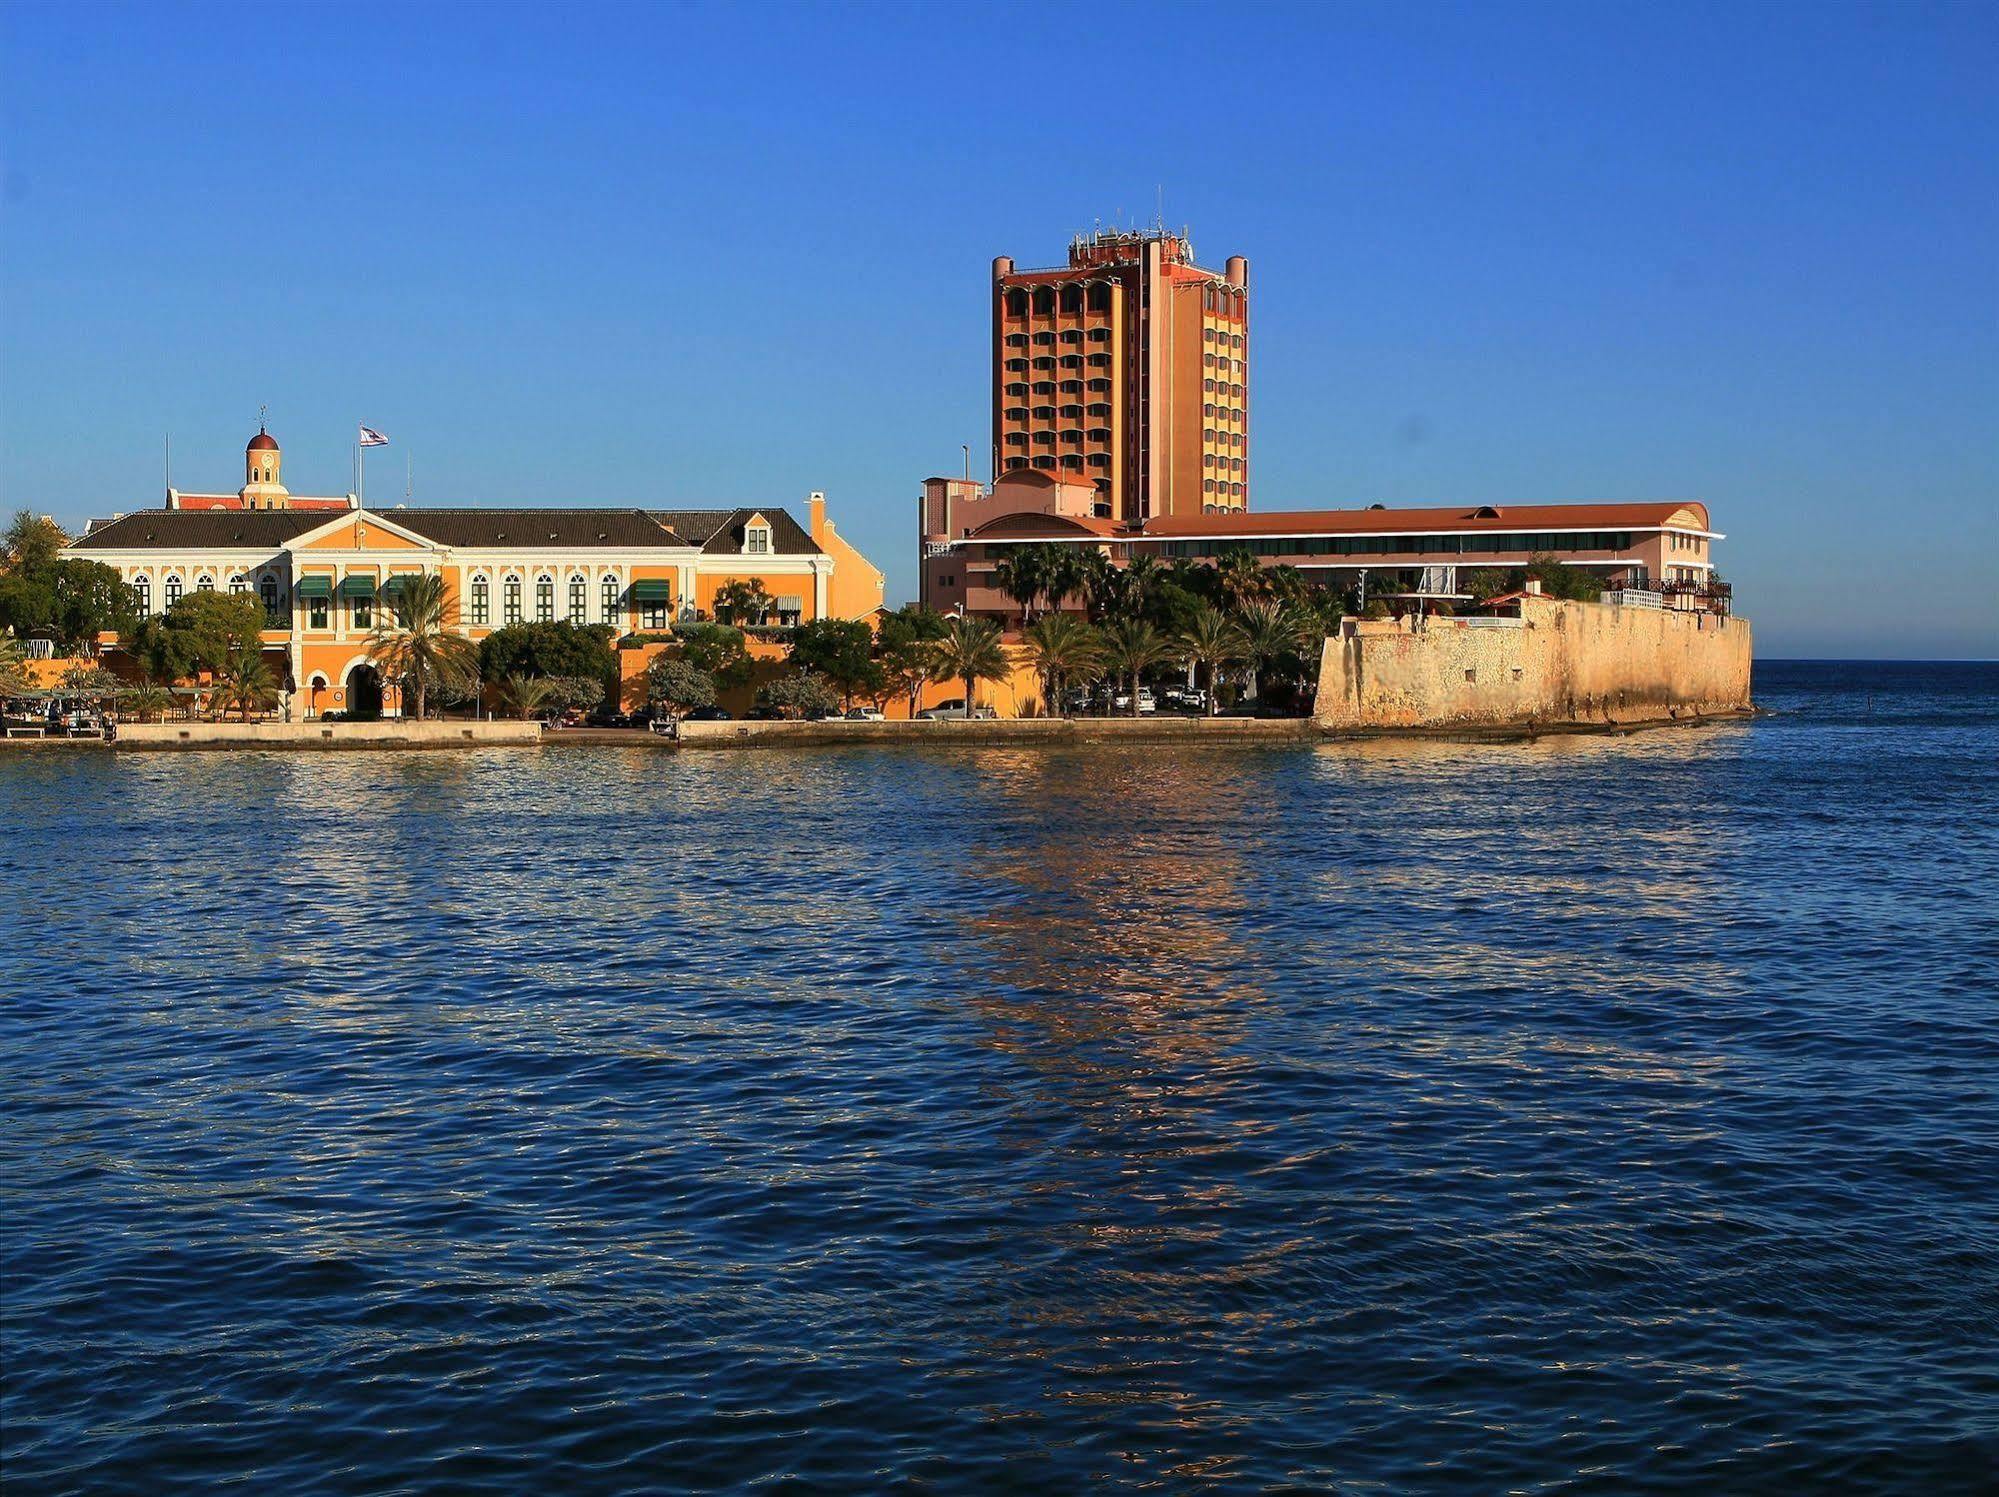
{"points": [[1598, 1114]]}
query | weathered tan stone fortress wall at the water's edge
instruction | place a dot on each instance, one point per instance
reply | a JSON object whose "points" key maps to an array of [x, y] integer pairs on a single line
{"points": [[1560, 663]]}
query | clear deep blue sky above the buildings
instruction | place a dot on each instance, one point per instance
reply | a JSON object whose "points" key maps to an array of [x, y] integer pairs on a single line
{"points": [[675, 257]]}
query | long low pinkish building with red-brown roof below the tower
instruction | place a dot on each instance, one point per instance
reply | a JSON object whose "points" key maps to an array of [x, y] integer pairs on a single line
{"points": [[1658, 547]]}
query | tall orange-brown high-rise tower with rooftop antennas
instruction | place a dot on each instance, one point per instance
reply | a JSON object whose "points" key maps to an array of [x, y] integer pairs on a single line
{"points": [[1126, 371]]}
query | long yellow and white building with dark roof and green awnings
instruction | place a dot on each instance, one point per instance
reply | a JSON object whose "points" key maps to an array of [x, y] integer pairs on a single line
{"points": [[325, 569]]}
